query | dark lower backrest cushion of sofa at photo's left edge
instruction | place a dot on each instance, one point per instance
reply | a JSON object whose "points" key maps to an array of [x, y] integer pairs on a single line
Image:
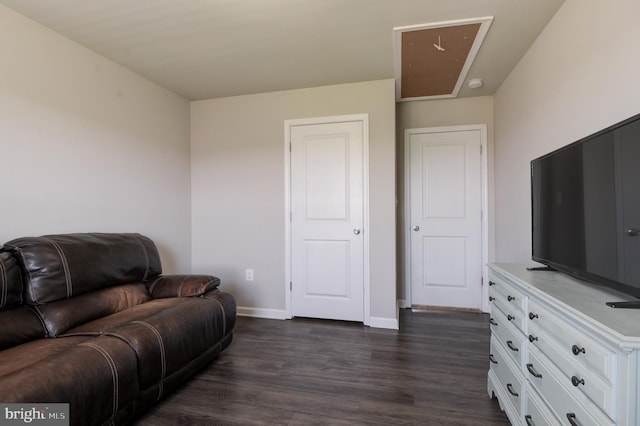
{"points": [[19, 325]]}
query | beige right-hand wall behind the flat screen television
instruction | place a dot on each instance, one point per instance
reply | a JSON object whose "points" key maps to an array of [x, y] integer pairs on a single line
{"points": [[580, 76]]}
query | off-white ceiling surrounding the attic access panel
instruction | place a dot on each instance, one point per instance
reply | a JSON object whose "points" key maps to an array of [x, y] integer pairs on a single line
{"points": [[204, 49]]}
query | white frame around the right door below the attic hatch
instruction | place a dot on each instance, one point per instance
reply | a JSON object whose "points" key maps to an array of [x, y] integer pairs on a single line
{"points": [[485, 205]]}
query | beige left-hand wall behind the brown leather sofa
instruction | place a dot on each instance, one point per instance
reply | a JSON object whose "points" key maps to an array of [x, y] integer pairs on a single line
{"points": [[86, 145]]}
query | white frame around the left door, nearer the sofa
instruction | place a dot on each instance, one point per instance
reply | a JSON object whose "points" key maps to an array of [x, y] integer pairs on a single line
{"points": [[288, 124]]}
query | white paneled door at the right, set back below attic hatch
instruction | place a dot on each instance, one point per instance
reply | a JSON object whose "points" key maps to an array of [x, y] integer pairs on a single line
{"points": [[445, 218]]}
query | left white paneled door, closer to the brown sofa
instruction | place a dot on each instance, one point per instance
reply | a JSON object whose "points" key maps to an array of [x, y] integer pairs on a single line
{"points": [[327, 220]]}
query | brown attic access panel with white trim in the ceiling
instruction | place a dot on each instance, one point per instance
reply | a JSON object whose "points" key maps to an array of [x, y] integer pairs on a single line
{"points": [[433, 60]]}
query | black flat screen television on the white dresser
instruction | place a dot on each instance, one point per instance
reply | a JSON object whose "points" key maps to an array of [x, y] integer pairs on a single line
{"points": [[586, 209]]}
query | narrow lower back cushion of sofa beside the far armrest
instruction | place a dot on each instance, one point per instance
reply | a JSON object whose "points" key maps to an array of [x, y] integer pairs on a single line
{"points": [[64, 314]]}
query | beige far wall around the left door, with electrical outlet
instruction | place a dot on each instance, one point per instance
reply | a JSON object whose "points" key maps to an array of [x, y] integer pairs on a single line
{"points": [[239, 191]]}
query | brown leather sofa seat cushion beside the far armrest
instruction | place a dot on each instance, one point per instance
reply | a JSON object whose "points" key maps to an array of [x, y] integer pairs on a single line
{"points": [[166, 334]]}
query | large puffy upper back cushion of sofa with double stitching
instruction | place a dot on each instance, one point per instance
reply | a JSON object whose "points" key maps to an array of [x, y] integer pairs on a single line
{"points": [[61, 266]]}
